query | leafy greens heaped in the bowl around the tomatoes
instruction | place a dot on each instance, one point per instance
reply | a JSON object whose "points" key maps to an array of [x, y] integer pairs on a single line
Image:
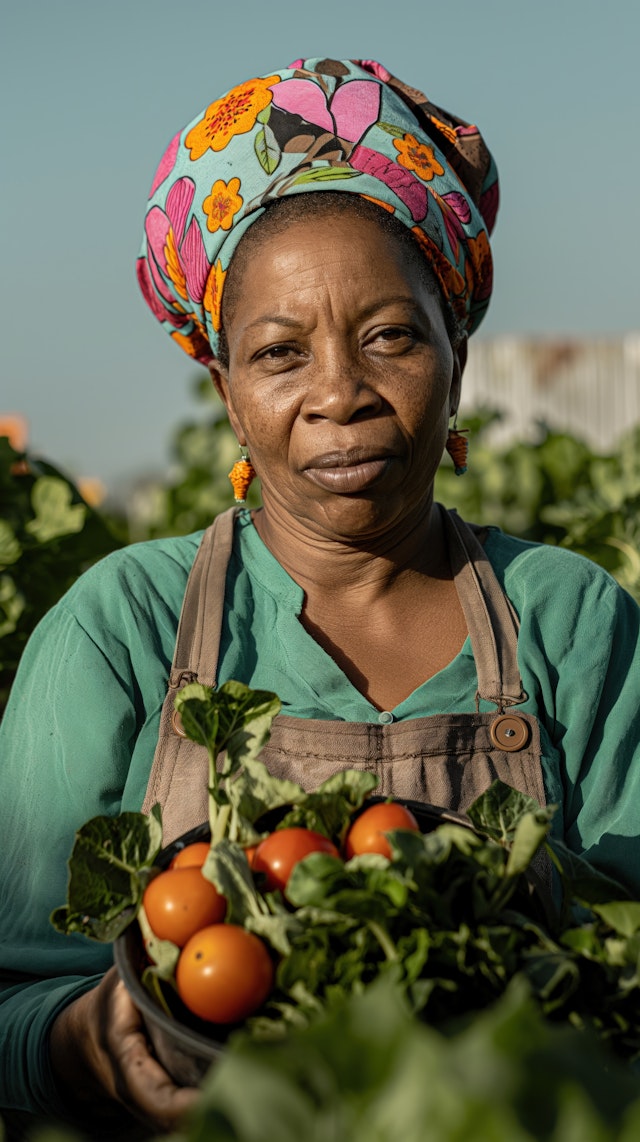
{"points": [[454, 915]]}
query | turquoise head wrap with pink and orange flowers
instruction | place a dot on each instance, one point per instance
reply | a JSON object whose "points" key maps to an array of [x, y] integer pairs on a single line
{"points": [[321, 125]]}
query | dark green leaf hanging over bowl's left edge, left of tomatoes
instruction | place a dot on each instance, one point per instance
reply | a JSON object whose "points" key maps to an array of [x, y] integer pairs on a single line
{"points": [[109, 872]]}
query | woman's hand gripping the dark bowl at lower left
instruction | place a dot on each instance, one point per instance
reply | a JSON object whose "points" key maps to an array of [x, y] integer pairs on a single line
{"points": [[101, 1058]]}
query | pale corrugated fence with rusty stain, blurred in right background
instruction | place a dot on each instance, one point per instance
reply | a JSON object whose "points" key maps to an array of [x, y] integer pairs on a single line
{"points": [[588, 388]]}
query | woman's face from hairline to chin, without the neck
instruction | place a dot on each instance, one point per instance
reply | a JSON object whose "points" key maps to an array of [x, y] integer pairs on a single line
{"points": [[341, 376]]}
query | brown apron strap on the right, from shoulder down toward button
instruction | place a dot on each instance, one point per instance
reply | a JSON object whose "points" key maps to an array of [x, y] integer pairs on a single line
{"points": [[491, 620]]}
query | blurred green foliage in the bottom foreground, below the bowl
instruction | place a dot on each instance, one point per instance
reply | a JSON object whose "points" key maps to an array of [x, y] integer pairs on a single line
{"points": [[369, 1072]]}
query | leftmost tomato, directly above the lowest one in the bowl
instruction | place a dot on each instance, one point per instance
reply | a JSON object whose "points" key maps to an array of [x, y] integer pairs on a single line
{"points": [[180, 902]]}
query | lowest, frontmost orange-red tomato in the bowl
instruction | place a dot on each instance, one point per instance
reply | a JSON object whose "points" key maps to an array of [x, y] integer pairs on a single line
{"points": [[225, 974]]}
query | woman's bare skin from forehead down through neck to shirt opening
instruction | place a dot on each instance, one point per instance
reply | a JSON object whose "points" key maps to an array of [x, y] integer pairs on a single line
{"points": [[341, 382]]}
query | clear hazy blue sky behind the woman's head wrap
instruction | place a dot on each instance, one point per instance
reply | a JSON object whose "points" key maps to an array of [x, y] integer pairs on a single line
{"points": [[93, 92]]}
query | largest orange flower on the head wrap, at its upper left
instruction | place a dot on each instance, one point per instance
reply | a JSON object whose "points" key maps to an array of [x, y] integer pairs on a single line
{"points": [[235, 115]]}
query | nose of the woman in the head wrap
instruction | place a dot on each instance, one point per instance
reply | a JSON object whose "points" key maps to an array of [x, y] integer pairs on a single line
{"points": [[341, 391]]}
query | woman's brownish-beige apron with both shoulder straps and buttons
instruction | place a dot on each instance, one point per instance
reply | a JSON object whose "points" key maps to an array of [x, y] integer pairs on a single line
{"points": [[446, 760]]}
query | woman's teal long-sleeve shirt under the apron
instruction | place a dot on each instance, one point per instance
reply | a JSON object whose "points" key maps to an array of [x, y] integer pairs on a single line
{"points": [[79, 734]]}
